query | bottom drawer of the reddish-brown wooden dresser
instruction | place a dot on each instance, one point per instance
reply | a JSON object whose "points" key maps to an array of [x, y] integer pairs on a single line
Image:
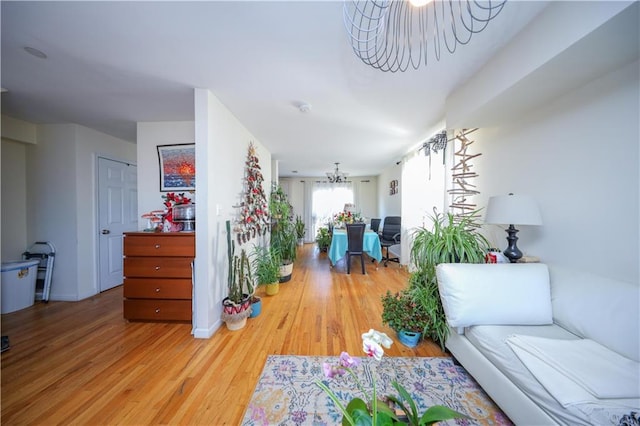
{"points": [[162, 310]]}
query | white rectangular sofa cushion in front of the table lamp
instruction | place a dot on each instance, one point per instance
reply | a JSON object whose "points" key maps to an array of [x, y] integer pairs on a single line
{"points": [[495, 294]]}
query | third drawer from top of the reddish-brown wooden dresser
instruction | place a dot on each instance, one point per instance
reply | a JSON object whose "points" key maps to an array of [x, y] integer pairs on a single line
{"points": [[149, 288]]}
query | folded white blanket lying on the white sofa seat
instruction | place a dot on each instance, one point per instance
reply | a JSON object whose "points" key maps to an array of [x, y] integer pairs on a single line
{"points": [[576, 371]]}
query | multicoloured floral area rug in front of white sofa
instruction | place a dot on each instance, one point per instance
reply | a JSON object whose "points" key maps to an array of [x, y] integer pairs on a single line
{"points": [[287, 393]]}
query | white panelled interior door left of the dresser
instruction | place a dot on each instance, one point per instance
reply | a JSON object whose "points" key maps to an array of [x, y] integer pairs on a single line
{"points": [[117, 213]]}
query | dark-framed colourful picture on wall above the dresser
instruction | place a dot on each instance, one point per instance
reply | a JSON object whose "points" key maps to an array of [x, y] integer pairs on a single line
{"points": [[177, 167]]}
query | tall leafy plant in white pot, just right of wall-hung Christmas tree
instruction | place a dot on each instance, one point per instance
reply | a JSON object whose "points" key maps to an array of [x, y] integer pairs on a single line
{"points": [[283, 234]]}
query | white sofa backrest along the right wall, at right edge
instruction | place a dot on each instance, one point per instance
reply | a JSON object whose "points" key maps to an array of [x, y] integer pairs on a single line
{"points": [[597, 308]]}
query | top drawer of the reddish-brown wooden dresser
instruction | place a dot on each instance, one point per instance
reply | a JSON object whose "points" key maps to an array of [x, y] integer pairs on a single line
{"points": [[158, 244]]}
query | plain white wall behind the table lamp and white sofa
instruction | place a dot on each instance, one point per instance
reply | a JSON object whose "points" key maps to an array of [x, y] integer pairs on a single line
{"points": [[578, 157]]}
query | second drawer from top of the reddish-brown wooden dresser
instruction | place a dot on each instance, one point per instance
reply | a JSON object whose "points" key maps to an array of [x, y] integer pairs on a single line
{"points": [[150, 267]]}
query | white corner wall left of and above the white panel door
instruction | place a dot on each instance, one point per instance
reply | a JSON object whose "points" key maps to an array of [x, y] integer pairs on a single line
{"points": [[61, 201]]}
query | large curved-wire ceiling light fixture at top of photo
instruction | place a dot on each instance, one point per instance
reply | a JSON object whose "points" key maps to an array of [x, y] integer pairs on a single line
{"points": [[393, 35]]}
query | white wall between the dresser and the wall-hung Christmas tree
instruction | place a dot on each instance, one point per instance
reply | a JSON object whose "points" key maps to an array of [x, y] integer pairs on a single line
{"points": [[221, 150]]}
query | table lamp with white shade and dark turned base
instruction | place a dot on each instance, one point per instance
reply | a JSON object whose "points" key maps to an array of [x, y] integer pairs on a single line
{"points": [[509, 210]]}
